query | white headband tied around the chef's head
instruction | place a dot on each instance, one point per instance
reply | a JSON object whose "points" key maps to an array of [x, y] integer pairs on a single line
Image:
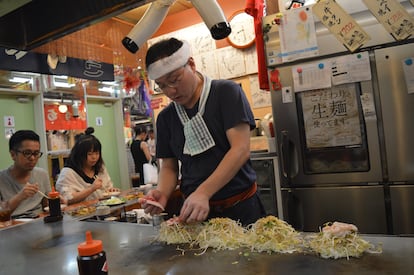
{"points": [[170, 63]]}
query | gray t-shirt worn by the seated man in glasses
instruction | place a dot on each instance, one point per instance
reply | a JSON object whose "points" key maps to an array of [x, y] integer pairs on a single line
{"points": [[9, 187]]}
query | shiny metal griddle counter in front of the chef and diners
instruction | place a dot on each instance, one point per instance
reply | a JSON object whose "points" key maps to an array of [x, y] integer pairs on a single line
{"points": [[51, 248]]}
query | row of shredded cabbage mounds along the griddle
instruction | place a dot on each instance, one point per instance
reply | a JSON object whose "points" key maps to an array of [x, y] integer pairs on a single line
{"points": [[268, 234]]}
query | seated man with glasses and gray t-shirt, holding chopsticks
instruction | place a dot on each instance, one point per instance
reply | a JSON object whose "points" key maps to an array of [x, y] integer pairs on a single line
{"points": [[20, 182]]}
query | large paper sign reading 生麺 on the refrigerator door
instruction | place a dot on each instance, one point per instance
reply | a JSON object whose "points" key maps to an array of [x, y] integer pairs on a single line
{"points": [[331, 117]]}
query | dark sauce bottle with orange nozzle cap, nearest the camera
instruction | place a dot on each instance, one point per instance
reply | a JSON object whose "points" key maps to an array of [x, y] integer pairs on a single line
{"points": [[91, 258]]}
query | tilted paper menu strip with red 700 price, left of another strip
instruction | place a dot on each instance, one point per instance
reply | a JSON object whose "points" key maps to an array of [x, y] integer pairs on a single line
{"points": [[341, 24]]}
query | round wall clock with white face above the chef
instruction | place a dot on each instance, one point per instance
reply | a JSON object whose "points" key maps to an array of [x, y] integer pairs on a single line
{"points": [[242, 34]]}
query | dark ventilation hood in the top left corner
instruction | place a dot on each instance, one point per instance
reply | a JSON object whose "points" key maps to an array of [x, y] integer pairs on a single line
{"points": [[41, 21]]}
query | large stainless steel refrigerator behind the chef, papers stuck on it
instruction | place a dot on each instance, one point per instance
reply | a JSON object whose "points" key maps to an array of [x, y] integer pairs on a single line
{"points": [[346, 152]]}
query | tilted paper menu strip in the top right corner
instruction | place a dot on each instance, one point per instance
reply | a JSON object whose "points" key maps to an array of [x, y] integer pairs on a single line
{"points": [[392, 15]]}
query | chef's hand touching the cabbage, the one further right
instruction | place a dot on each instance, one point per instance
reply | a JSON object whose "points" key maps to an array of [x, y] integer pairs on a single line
{"points": [[195, 208]]}
